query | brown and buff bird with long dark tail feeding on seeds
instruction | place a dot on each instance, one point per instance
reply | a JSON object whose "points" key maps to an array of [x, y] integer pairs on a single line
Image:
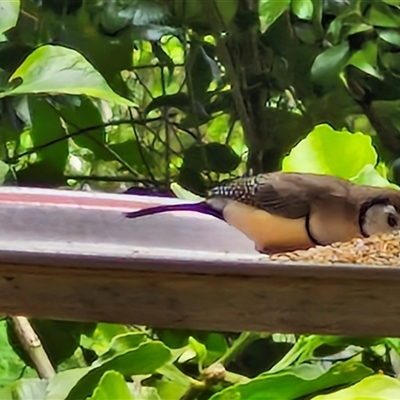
{"points": [[288, 211]]}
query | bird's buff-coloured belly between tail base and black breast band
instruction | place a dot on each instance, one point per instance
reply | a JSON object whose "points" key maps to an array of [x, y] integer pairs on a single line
{"points": [[269, 232]]}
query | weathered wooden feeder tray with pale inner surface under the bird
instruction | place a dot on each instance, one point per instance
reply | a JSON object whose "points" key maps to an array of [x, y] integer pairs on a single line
{"points": [[72, 255]]}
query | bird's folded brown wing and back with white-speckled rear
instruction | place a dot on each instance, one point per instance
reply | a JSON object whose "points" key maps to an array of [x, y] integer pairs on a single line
{"points": [[289, 195]]}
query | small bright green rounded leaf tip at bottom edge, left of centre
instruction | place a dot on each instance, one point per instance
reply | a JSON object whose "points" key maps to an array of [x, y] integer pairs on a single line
{"points": [[112, 385]]}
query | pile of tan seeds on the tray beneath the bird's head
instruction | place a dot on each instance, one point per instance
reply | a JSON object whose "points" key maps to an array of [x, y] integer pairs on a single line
{"points": [[382, 249]]}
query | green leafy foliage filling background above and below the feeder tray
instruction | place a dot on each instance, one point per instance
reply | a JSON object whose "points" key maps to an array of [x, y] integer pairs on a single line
{"points": [[179, 95]]}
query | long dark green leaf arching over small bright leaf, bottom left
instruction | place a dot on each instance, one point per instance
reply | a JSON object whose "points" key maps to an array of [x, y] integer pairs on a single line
{"points": [[145, 359]]}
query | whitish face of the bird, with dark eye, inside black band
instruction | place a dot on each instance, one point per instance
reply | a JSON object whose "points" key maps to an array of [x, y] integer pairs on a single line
{"points": [[381, 218]]}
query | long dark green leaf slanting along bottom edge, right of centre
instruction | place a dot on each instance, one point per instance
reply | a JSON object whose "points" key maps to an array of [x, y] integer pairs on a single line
{"points": [[295, 382]]}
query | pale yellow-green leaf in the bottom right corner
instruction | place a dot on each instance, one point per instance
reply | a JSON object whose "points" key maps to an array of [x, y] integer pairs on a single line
{"points": [[377, 387]]}
